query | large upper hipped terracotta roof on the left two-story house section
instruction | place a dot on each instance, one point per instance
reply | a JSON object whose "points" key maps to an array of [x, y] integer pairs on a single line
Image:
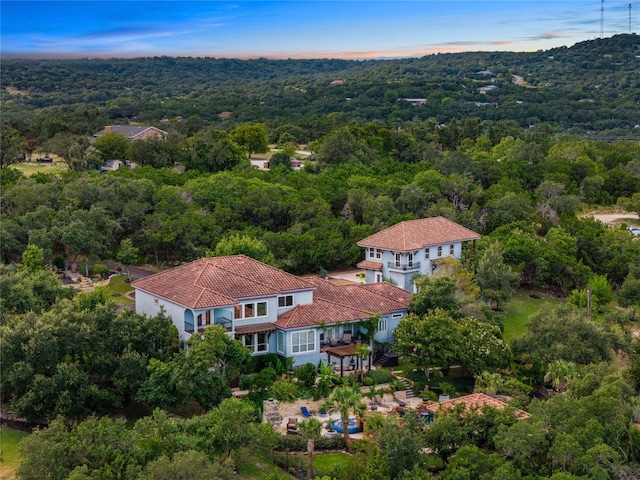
{"points": [[219, 281]]}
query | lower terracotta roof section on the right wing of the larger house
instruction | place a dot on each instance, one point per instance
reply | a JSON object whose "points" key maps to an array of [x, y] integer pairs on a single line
{"points": [[344, 303]]}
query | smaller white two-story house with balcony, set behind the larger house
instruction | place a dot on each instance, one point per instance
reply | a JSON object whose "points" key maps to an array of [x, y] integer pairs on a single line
{"points": [[413, 247]]}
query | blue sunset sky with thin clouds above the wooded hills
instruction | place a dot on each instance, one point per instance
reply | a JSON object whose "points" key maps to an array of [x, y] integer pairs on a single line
{"points": [[301, 29]]}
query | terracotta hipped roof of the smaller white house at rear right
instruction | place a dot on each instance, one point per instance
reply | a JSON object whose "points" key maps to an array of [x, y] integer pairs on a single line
{"points": [[416, 234]]}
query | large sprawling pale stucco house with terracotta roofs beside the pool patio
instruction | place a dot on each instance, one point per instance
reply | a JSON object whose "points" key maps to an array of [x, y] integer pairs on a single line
{"points": [[305, 318]]}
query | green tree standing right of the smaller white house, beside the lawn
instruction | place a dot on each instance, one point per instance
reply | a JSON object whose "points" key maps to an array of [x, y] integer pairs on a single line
{"points": [[496, 279]]}
